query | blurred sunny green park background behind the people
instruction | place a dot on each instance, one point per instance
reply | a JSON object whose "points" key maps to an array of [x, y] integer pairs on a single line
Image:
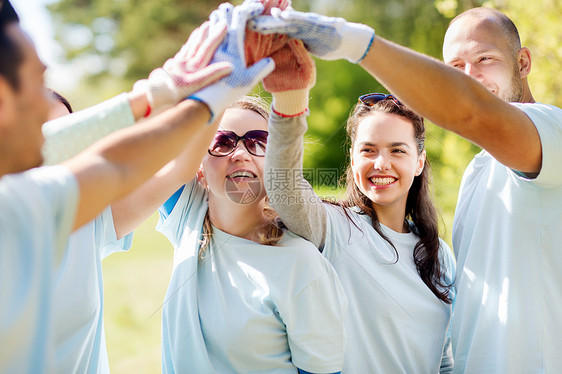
{"points": [[116, 42]]}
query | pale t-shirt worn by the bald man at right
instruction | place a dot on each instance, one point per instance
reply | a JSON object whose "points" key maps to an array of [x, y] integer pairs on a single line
{"points": [[507, 235]]}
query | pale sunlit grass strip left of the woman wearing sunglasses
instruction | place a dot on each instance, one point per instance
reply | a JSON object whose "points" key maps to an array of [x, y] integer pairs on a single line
{"points": [[135, 283]]}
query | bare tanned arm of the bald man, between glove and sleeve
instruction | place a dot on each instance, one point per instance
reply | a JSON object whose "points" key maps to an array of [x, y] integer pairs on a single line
{"points": [[456, 102]]}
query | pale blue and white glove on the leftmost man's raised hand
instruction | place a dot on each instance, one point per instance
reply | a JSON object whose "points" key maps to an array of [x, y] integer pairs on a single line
{"points": [[242, 79]]}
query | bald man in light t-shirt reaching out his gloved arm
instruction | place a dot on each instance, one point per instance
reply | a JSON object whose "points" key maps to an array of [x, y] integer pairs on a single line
{"points": [[507, 232]]}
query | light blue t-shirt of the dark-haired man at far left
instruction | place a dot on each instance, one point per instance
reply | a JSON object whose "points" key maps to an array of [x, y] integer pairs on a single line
{"points": [[37, 210]]}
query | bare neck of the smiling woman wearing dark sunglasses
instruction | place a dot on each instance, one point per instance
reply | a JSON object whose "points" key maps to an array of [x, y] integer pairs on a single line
{"points": [[237, 220]]}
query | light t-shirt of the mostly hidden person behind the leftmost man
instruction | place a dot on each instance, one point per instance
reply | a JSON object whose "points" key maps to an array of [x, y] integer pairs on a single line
{"points": [[78, 297]]}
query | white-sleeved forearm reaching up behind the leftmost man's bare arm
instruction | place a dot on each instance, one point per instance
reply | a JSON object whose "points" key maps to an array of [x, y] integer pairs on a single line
{"points": [[65, 137]]}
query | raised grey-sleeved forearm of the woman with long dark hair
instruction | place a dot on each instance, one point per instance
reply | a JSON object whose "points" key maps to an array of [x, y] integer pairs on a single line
{"points": [[289, 193]]}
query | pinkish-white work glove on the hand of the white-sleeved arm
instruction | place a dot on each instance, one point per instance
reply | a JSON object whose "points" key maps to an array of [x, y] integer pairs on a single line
{"points": [[188, 71]]}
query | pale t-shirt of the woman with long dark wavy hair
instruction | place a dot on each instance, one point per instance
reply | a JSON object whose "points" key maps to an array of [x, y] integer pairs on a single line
{"points": [[394, 322]]}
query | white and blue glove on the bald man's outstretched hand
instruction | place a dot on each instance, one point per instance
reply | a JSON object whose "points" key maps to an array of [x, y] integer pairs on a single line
{"points": [[328, 38]]}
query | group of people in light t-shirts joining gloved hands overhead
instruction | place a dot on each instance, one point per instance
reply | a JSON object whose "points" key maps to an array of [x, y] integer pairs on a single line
{"points": [[362, 285]]}
